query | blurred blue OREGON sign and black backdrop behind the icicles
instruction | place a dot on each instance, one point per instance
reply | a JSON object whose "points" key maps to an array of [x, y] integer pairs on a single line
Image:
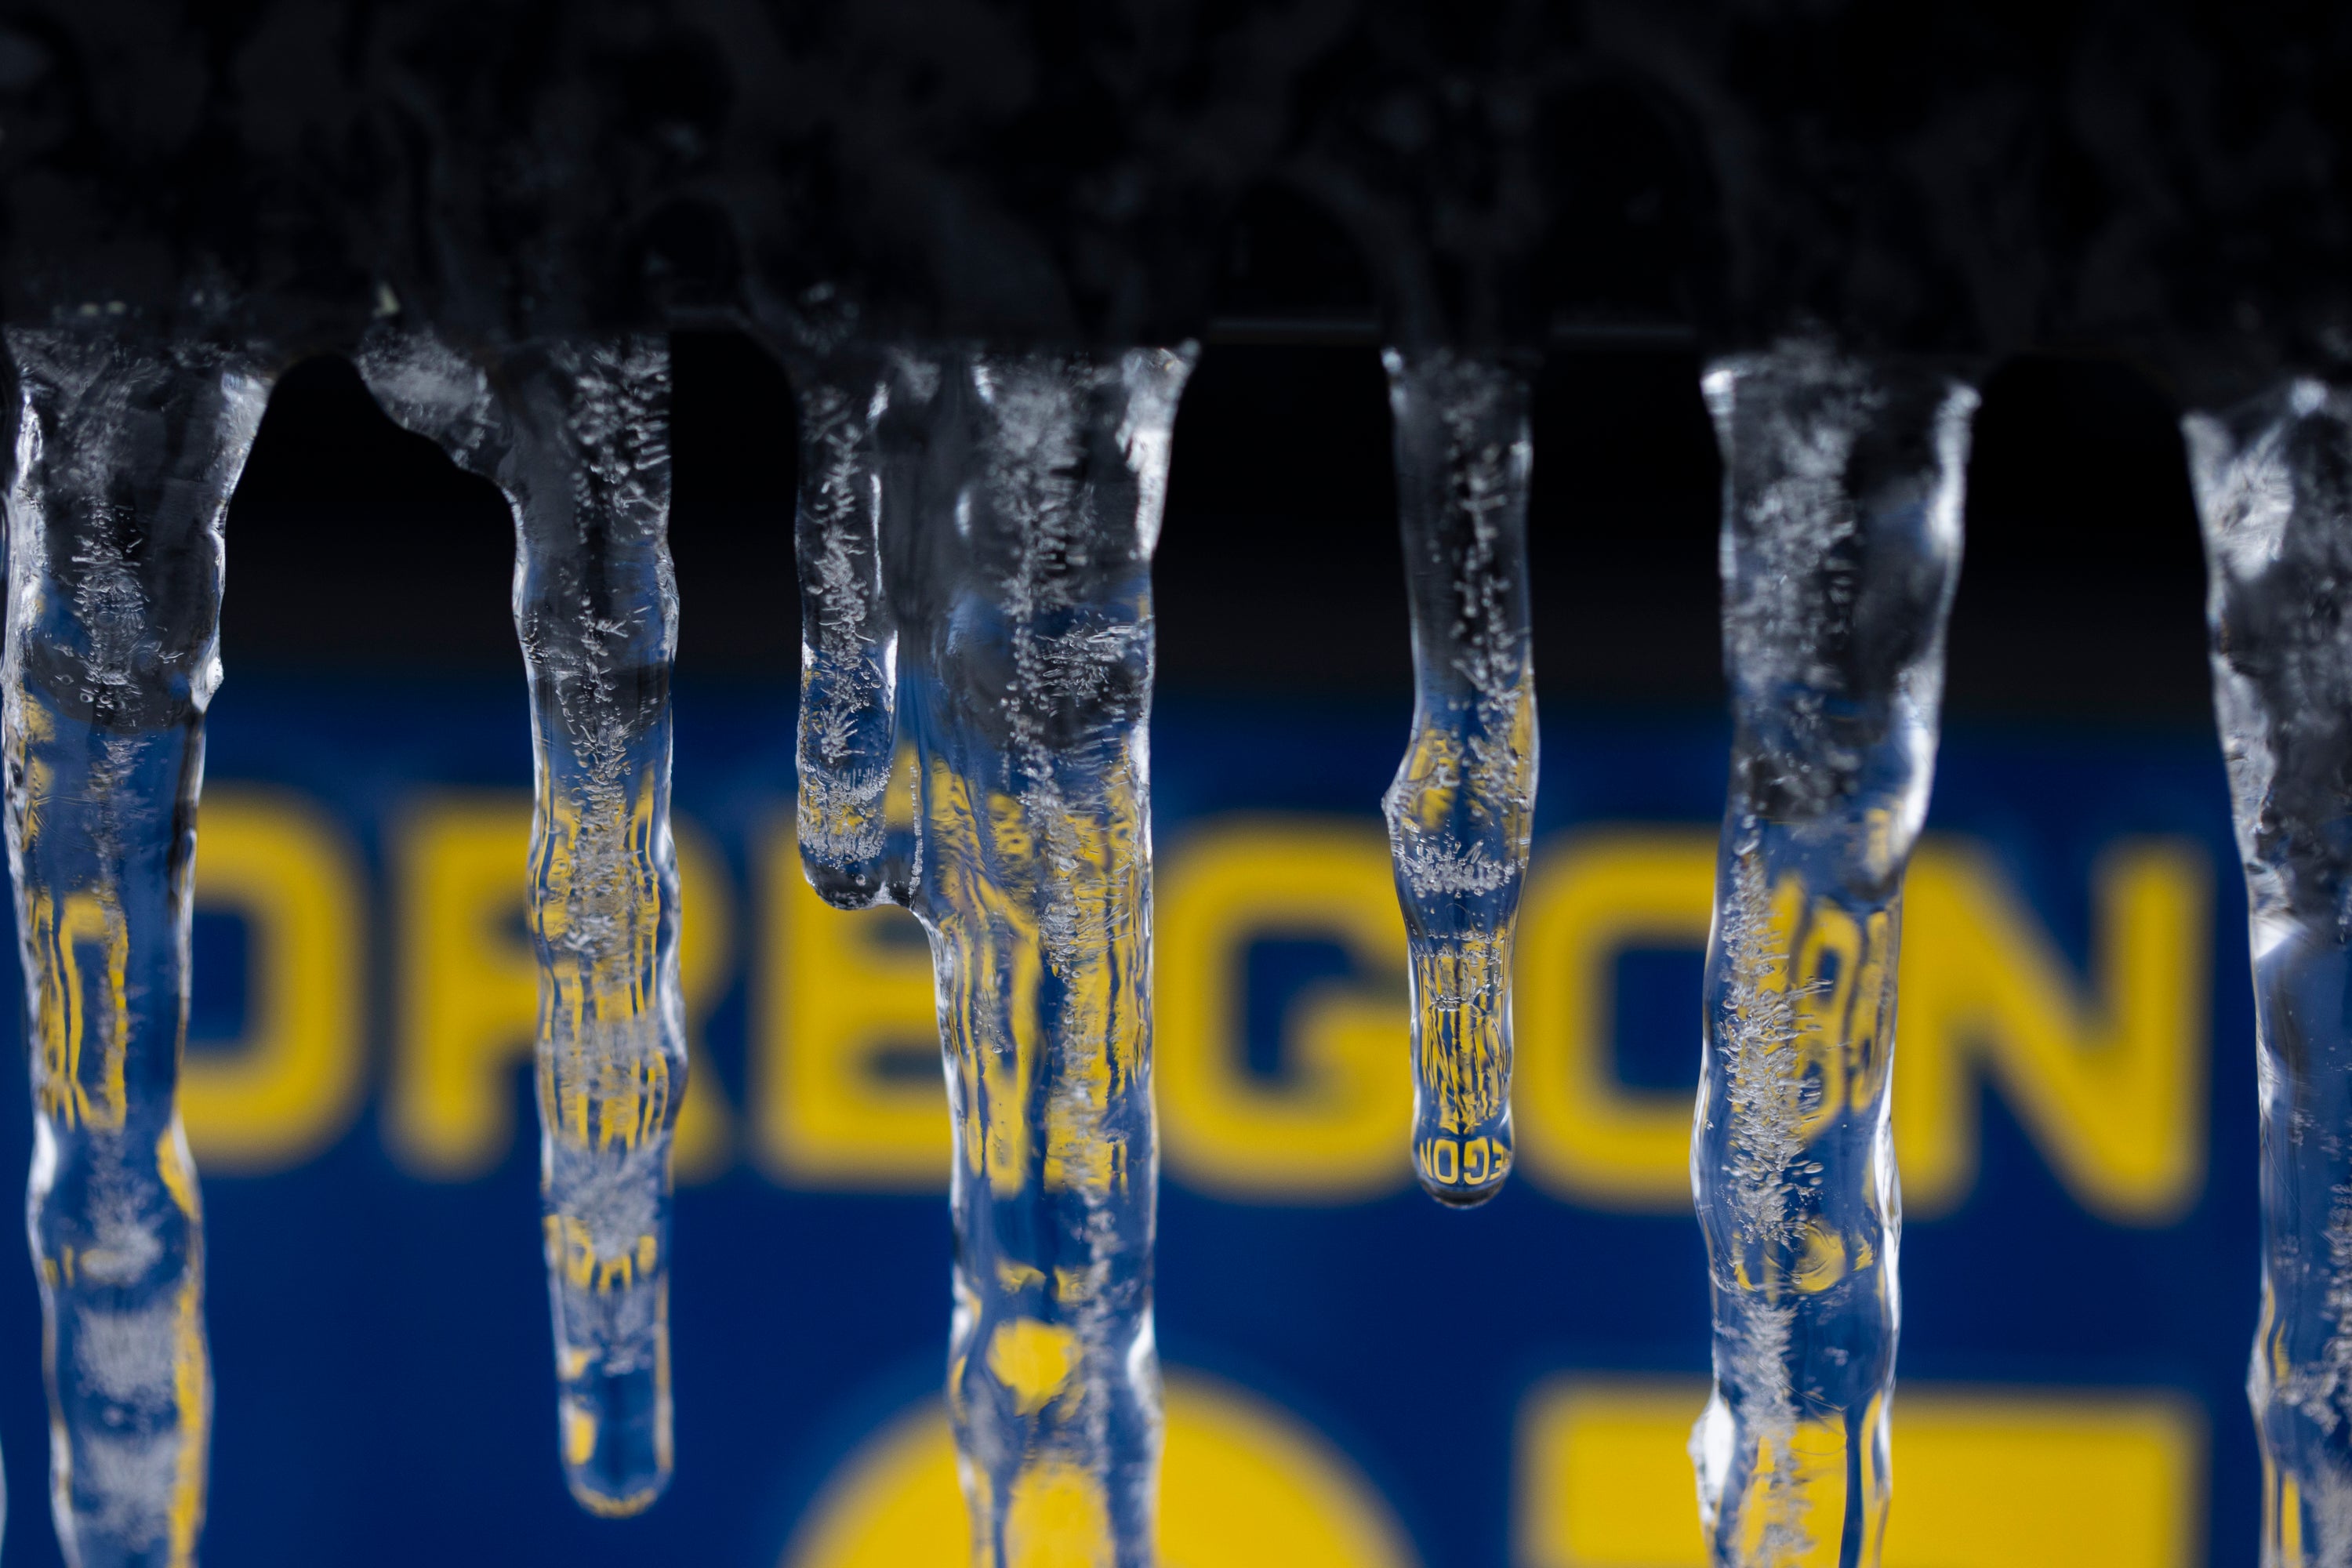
{"points": [[1358, 1376]]}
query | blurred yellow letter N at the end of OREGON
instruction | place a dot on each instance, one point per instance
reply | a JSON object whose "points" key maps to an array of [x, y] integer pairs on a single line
{"points": [[2111, 1085]]}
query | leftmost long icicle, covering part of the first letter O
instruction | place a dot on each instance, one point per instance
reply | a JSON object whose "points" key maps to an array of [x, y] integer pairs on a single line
{"points": [[126, 457]]}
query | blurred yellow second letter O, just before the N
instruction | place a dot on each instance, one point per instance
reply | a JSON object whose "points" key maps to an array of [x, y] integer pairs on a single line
{"points": [[1584, 1137]]}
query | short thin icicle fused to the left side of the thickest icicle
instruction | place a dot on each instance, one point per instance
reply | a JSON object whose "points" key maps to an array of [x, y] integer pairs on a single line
{"points": [[848, 643]]}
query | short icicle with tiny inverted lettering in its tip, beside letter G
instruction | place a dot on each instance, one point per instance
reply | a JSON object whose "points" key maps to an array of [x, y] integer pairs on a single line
{"points": [[1462, 808]]}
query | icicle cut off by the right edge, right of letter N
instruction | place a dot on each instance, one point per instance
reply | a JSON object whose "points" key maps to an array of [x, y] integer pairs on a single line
{"points": [[2276, 495]]}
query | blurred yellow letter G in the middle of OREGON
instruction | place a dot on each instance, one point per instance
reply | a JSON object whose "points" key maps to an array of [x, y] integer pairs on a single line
{"points": [[1332, 1130]]}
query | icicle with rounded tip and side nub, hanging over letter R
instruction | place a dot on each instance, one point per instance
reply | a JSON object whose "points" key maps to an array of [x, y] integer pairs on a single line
{"points": [[575, 434]]}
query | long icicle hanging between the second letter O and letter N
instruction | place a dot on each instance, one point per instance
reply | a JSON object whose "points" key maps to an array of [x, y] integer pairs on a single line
{"points": [[1843, 518]]}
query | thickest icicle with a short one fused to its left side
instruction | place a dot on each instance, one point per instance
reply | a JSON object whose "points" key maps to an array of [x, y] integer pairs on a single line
{"points": [[1017, 511]]}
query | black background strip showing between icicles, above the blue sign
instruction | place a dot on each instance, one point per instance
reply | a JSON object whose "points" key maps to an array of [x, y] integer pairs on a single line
{"points": [[359, 547]]}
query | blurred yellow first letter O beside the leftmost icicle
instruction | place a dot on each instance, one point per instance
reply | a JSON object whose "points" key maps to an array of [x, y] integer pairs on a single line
{"points": [[290, 1083]]}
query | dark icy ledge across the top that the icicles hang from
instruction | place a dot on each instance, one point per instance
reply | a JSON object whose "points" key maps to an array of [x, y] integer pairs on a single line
{"points": [[1967, 177]]}
